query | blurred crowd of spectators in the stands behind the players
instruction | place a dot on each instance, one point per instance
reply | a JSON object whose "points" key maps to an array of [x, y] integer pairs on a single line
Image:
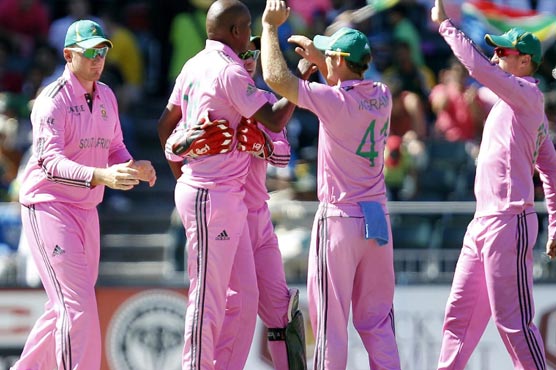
{"points": [[435, 100]]}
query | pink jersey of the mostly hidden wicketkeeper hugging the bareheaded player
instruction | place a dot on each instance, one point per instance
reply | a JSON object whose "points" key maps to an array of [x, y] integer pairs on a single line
{"points": [[256, 193]]}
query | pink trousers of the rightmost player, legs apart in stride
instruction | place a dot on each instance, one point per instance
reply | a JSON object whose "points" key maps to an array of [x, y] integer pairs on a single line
{"points": [[493, 278]]}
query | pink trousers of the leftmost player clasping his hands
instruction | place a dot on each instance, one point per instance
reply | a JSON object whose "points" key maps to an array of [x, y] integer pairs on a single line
{"points": [[65, 245]]}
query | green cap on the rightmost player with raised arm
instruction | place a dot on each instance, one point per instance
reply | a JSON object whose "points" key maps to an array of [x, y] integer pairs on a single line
{"points": [[520, 40]]}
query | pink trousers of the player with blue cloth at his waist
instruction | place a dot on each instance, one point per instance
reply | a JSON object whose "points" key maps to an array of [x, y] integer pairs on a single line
{"points": [[347, 269]]}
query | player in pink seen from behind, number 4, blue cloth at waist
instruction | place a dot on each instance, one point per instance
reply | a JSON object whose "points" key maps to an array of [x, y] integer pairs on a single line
{"points": [[351, 256]]}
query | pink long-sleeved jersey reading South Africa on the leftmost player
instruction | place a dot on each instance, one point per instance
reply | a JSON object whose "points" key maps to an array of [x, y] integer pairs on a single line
{"points": [[69, 141]]}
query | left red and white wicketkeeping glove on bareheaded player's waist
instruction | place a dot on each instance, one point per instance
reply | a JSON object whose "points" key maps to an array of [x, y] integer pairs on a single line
{"points": [[205, 138]]}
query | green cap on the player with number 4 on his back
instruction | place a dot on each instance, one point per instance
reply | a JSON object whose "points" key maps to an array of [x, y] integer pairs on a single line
{"points": [[346, 40]]}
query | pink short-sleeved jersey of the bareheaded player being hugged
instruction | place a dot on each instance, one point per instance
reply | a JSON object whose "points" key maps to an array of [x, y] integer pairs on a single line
{"points": [[216, 82]]}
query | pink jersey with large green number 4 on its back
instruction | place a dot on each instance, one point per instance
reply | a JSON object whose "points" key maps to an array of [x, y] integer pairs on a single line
{"points": [[350, 166]]}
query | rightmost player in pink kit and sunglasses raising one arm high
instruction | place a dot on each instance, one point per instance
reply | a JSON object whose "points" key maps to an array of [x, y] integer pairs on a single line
{"points": [[494, 273]]}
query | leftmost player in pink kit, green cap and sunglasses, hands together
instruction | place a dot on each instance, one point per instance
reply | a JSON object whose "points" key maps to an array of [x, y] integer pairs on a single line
{"points": [[78, 149]]}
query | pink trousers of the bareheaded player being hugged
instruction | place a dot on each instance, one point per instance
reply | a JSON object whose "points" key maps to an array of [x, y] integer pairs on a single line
{"points": [[218, 255]]}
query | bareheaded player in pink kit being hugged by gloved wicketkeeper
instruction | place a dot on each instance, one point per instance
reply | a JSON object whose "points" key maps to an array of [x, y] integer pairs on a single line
{"points": [[210, 191]]}
